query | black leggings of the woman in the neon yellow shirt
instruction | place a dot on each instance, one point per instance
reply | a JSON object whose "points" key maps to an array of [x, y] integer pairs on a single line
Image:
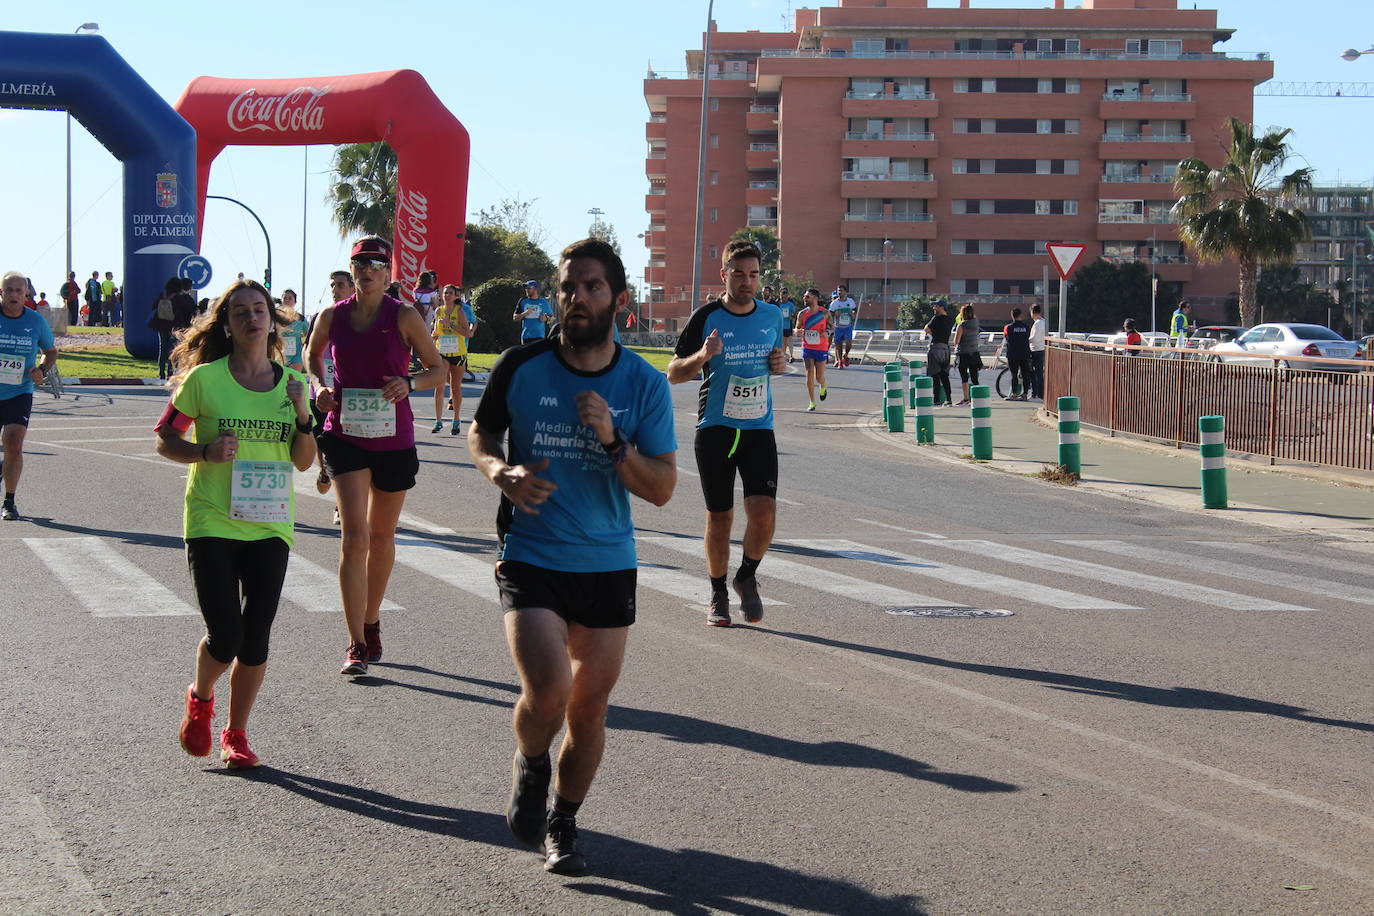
{"points": [[238, 627]]}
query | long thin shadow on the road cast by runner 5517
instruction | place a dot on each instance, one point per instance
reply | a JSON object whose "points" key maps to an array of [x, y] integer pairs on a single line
{"points": [[1171, 697]]}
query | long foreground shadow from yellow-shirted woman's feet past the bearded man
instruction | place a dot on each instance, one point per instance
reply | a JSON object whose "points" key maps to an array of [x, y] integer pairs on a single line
{"points": [[684, 881]]}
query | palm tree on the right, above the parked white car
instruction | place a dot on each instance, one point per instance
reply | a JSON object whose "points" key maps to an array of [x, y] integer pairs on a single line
{"points": [[1237, 211]]}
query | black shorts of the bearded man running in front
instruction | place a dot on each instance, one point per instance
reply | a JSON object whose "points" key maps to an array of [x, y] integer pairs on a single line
{"points": [[597, 601]]}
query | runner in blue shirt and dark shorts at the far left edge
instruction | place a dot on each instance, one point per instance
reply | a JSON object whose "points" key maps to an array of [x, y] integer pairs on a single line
{"points": [[23, 334]]}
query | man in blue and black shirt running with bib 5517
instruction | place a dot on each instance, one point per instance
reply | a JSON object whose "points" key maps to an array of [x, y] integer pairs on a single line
{"points": [[736, 344]]}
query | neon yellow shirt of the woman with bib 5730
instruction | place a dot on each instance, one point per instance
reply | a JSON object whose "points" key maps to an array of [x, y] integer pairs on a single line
{"points": [[266, 426]]}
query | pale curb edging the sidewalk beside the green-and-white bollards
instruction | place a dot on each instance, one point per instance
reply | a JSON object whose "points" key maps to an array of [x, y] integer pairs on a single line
{"points": [[873, 426]]}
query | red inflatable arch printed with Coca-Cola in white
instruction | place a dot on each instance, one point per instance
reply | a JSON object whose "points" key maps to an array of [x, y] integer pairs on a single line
{"points": [[432, 148]]}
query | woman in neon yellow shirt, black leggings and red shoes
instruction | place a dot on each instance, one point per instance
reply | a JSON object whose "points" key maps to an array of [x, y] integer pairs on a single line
{"points": [[252, 425]]}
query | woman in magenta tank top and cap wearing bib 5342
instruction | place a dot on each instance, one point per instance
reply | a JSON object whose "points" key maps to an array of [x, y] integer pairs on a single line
{"points": [[369, 439]]}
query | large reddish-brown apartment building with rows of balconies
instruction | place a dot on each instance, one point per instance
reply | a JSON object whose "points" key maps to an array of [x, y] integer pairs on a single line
{"points": [[938, 150]]}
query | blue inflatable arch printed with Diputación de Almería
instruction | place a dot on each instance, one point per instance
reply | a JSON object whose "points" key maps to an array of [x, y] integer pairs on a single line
{"points": [[83, 75]]}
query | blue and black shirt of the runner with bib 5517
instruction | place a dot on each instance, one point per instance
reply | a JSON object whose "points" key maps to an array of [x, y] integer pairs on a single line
{"points": [[737, 387]]}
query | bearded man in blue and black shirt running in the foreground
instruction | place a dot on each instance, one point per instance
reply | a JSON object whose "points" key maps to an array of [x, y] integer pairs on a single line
{"points": [[587, 424]]}
